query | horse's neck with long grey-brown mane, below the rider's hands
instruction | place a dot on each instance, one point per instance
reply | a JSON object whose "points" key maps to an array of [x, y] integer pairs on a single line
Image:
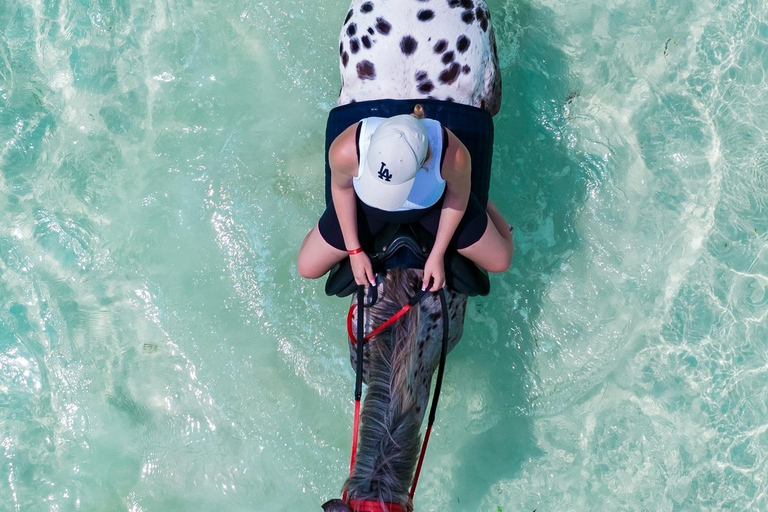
{"points": [[399, 363]]}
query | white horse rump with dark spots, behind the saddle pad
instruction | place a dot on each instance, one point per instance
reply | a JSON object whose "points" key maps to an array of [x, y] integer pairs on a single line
{"points": [[412, 49]]}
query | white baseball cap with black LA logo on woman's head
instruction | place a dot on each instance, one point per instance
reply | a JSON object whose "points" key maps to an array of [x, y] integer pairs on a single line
{"points": [[396, 152]]}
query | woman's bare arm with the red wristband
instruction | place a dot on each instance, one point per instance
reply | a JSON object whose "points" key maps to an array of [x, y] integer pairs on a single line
{"points": [[342, 157]]}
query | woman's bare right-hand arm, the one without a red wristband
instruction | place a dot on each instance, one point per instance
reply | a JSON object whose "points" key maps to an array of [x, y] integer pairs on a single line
{"points": [[457, 173]]}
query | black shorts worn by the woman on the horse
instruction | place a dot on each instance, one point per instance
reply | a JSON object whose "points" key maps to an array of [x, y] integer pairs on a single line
{"points": [[371, 220]]}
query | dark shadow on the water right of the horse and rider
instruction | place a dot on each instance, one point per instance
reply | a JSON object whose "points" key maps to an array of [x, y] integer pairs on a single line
{"points": [[540, 186]]}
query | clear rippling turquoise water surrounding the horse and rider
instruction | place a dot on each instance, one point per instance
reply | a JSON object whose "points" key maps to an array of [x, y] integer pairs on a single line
{"points": [[160, 162]]}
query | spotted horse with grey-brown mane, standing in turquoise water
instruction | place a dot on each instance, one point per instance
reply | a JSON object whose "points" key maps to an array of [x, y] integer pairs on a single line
{"points": [[439, 53]]}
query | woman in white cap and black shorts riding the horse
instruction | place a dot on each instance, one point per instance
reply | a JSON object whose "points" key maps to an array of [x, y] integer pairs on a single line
{"points": [[402, 170]]}
